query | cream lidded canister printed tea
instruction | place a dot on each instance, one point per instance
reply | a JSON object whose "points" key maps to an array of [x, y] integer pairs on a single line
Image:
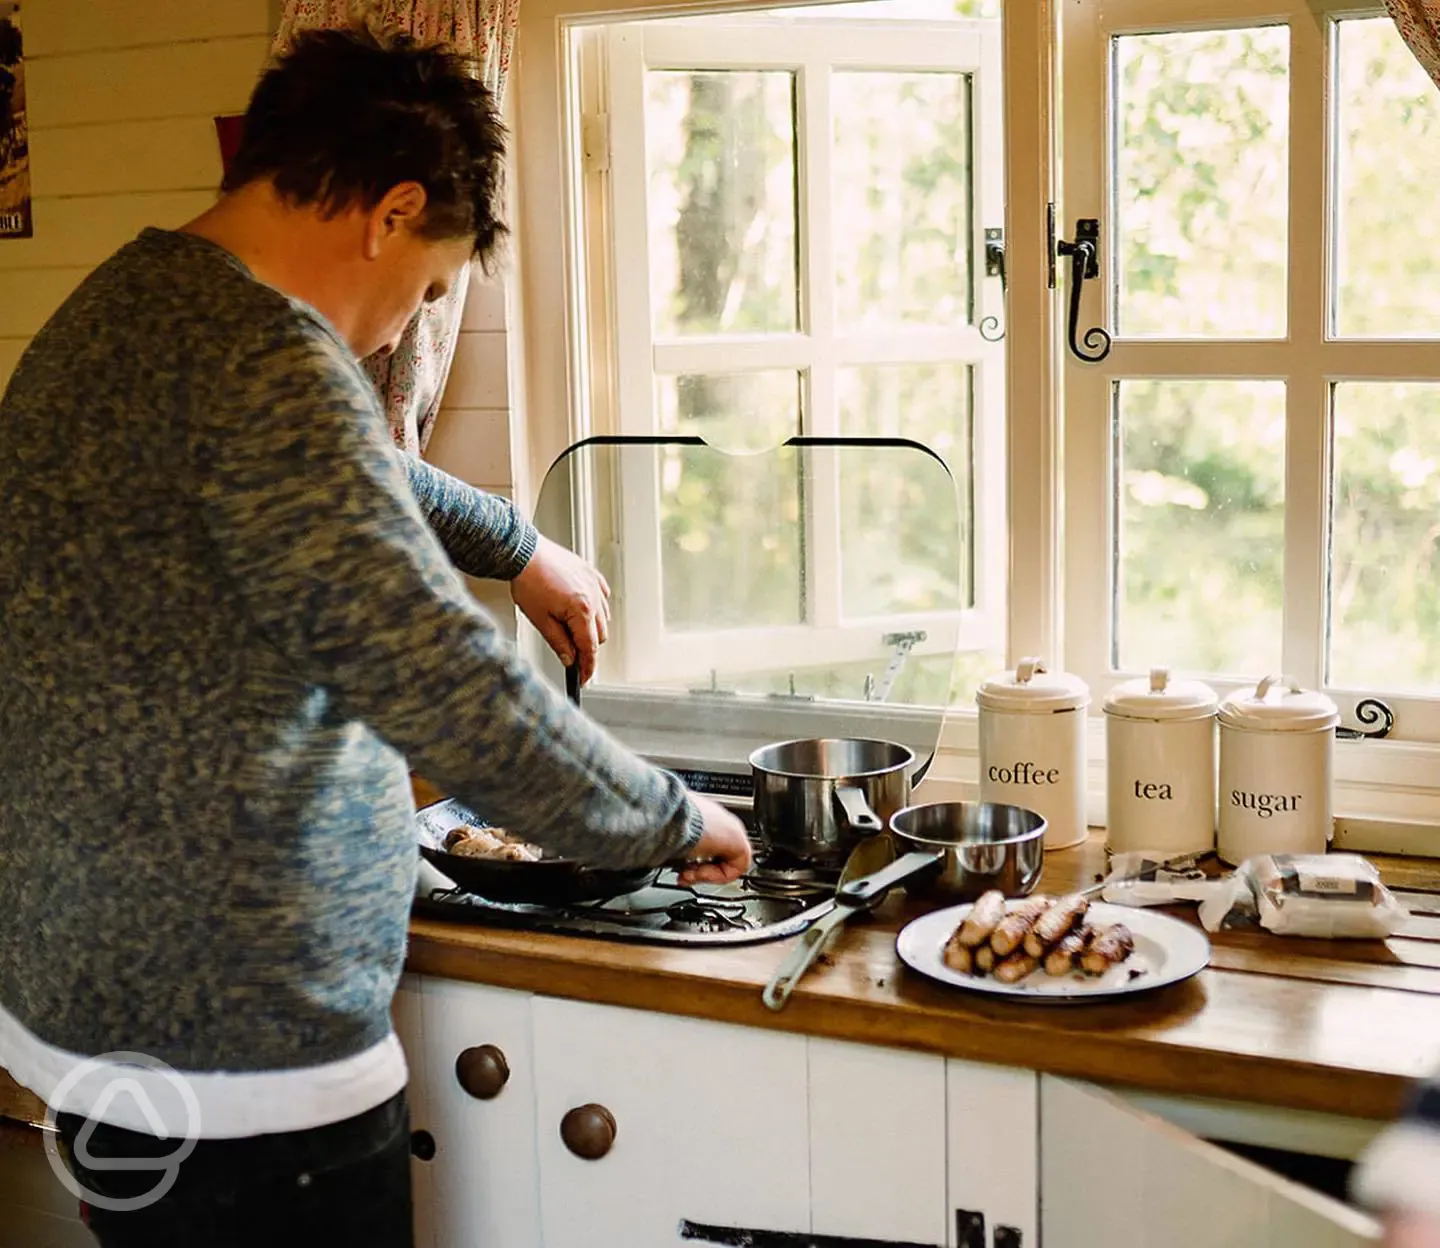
{"points": [[1160, 767]]}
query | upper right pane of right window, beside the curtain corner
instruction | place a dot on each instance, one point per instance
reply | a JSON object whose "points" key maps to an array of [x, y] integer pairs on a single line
{"points": [[1387, 234]]}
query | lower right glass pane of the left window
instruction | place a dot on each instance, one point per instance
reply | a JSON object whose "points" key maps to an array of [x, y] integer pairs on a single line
{"points": [[896, 555]]}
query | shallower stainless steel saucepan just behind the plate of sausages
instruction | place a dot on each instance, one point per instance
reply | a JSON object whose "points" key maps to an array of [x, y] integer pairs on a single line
{"points": [[973, 847]]}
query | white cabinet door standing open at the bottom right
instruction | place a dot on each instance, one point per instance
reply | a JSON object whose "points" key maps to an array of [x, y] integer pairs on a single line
{"points": [[1117, 1178]]}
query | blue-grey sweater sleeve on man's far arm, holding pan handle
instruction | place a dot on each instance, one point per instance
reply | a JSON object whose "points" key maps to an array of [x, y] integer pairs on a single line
{"points": [[483, 535]]}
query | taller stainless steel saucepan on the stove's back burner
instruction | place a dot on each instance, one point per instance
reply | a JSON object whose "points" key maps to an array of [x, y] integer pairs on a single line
{"points": [[819, 798]]}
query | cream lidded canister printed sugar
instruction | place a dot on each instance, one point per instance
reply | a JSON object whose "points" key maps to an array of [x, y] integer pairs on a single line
{"points": [[1277, 759]]}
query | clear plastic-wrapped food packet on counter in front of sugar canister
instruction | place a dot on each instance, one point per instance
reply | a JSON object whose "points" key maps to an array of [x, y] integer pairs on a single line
{"points": [[1328, 896]]}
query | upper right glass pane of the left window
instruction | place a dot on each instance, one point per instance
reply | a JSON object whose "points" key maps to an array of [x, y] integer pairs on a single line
{"points": [[901, 178]]}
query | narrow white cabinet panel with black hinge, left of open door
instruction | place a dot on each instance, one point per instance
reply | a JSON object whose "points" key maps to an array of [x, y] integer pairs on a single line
{"points": [[994, 1157]]}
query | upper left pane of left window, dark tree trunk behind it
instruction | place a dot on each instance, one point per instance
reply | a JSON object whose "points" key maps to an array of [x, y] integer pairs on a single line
{"points": [[721, 150]]}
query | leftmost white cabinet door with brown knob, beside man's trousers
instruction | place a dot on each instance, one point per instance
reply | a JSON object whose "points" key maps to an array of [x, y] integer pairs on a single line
{"points": [[485, 1185]]}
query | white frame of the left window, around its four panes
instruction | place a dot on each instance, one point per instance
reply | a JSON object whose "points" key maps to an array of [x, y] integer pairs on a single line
{"points": [[624, 358]]}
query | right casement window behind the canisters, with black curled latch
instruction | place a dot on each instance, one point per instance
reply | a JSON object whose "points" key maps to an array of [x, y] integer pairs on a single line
{"points": [[1254, 471]]}
